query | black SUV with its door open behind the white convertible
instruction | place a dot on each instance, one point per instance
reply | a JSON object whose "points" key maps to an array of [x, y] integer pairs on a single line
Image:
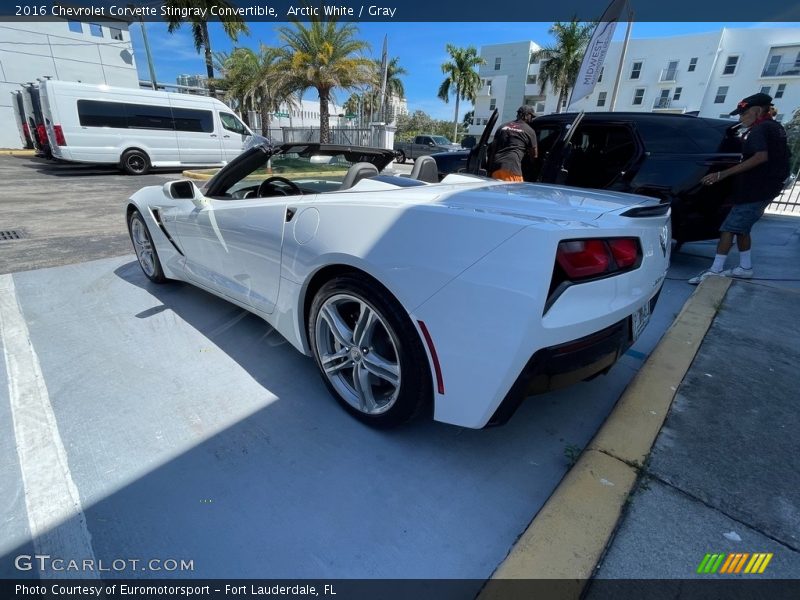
{"points": [[660, 155]]}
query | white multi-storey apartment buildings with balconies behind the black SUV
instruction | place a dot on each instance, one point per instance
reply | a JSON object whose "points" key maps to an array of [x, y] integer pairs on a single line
{"points": [[704, 74]]}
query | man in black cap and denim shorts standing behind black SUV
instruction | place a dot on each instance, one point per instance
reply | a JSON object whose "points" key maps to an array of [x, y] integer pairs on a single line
{"points": [[759, 179]]}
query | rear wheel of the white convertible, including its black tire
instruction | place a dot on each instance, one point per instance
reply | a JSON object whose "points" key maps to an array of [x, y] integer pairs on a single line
{"points": [[389, 343]]}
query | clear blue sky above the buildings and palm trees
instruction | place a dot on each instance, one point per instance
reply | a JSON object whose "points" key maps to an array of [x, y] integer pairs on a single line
{"points": [[420, 46]]}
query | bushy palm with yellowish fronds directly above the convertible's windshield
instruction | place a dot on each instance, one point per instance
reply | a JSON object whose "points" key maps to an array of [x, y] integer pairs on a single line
{"points": [[324, 56]]}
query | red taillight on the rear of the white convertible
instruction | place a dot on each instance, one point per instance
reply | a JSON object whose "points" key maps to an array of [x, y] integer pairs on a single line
{"points": [[587, 259]]}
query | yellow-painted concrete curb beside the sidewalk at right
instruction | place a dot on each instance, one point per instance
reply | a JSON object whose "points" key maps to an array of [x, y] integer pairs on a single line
{"points": [[568, 536]]}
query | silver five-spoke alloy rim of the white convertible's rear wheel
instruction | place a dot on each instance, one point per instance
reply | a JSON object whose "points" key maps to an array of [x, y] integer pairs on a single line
{"points": [[358, 352]]}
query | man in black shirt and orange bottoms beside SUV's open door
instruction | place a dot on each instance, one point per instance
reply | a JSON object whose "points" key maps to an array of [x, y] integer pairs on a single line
{"points": [[511, 142]]}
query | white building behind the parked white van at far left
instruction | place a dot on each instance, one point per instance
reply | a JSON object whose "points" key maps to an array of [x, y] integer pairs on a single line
{"points": [[96, 52]]}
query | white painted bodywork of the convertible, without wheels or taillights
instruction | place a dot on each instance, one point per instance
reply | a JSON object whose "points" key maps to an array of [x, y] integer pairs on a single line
{"points": [[471, 258]]}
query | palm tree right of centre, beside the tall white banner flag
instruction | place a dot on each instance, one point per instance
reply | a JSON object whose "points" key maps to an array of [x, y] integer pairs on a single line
{"points": [[561, 62]]}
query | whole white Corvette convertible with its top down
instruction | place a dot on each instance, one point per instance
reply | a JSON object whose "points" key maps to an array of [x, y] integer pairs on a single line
{"points": [[458, 297]]}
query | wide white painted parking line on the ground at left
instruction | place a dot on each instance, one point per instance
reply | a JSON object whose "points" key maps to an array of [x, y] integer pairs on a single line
{"points": [[56, 519]]}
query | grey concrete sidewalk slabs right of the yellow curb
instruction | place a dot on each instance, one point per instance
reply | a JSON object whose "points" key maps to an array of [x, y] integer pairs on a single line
{"points": [[724, 476]]}
